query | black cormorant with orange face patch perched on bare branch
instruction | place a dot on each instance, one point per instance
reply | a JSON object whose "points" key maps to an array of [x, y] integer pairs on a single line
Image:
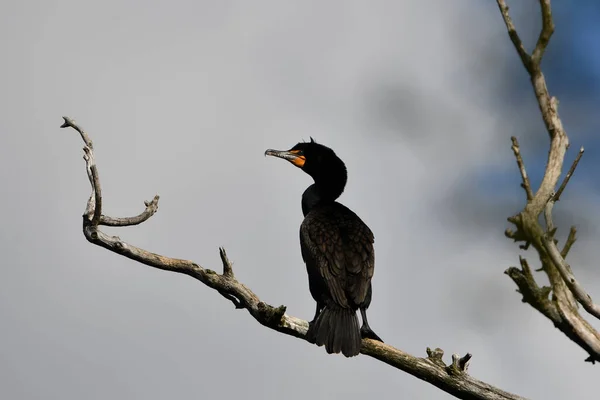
{"points": [[337, 248]]}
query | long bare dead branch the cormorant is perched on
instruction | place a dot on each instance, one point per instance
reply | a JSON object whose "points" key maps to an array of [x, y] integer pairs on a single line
{"points": [[452, 378]]}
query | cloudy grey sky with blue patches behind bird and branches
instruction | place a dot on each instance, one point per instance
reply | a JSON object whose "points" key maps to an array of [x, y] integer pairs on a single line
{"points": [[419, 98]]}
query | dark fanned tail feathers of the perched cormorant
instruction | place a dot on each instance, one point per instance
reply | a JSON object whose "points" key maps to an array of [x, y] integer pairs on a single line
{"points": [[336, 328]]}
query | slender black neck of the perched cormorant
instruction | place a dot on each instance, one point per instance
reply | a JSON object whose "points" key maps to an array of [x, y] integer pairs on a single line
{"points": [[326, 189]]}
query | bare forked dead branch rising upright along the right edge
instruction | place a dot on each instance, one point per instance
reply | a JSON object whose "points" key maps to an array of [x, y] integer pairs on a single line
{"points": [[559, 302]]}
